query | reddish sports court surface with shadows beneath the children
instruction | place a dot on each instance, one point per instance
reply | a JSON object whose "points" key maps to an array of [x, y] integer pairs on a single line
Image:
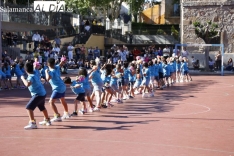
{"points": [[189, 119]]}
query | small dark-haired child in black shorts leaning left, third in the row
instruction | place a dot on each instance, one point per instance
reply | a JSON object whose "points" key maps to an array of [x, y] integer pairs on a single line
{"points": [[77, 88]]}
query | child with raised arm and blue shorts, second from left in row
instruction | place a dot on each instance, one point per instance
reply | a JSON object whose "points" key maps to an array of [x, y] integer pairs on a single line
{"points": [[58, 89]]}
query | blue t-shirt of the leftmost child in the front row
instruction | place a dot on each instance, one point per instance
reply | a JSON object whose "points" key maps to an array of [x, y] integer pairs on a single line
{"points": [[36, 87]]}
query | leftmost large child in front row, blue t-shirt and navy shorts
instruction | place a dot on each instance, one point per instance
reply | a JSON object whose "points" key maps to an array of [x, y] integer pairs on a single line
{"points": [[38, 94]]}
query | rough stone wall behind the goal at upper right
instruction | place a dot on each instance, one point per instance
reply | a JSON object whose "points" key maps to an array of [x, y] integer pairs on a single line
{"points": [[219, 11]]}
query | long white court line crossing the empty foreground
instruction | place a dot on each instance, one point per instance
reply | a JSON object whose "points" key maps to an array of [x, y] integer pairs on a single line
{"points": [[125, 142]]}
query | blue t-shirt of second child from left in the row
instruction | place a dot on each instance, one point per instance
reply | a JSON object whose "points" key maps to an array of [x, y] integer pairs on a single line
{"points": [[56, 82]]}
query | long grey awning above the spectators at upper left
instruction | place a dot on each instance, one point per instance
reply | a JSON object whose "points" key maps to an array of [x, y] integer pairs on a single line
{"points": [[20, 27]]}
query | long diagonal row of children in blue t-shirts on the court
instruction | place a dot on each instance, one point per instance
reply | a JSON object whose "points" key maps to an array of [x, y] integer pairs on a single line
{"points": [[109, 83]]}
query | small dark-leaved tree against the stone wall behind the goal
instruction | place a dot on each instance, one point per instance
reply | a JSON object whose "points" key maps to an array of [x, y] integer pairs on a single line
{"points": [[207, 32]]}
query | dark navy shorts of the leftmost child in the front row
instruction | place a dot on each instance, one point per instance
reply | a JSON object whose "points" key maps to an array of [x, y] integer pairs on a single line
{"points": [[36, 101]]}
